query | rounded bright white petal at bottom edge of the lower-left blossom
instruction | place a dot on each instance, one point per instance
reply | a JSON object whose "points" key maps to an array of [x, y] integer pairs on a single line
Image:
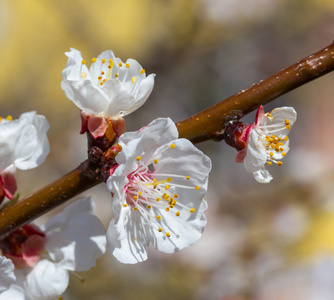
{"points": [[46, 281]]}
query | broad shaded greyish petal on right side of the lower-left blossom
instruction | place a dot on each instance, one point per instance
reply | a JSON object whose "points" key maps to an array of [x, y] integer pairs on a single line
{"points": [[79, 242]]}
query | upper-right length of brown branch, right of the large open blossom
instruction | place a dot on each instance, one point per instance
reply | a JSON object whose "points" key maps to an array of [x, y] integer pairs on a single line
{"points": [[209, 124]]}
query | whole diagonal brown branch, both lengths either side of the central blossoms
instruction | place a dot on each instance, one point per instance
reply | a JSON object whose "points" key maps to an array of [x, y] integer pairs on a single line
{"points": [[206, 125]]}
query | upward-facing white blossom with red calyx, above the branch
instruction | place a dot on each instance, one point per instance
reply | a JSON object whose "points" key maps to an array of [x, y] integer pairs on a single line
{"points": [[109, 89]]}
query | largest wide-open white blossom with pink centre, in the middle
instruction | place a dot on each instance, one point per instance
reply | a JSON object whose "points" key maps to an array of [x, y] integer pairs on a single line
{"points": [[158, 189]]}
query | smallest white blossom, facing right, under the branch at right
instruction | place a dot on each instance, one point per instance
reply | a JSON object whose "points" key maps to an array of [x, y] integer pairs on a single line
{"points": [[267, 141]]}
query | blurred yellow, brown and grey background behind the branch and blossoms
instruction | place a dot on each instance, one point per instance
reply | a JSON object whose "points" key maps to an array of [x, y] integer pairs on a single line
{"points": [[262, 242]]}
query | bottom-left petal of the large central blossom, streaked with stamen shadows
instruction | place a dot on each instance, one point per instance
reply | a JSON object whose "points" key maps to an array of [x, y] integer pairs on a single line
{"points": [[128, 239]]}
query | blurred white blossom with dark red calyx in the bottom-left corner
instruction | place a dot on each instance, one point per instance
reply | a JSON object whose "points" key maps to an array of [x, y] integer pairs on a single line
{"points": [[69, 242]]}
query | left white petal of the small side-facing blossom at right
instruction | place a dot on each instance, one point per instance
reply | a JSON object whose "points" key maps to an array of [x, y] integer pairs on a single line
{"points": [[256, 155]]}
